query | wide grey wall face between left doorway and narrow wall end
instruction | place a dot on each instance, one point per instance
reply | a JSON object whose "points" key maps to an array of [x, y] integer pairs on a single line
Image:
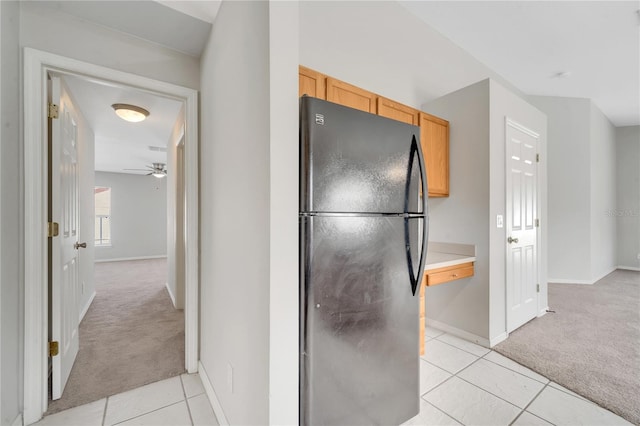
{"points": [[234, 211]]}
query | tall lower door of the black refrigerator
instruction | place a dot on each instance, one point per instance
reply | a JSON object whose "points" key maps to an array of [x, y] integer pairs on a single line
{"points": [[359, 322]]}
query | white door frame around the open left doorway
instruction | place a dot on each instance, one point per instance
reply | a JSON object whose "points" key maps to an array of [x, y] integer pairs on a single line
{"points": [[36, 66]]}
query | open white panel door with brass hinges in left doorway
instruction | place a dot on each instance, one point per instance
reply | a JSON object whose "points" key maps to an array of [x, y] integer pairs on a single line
{"points": [[63, 209]]}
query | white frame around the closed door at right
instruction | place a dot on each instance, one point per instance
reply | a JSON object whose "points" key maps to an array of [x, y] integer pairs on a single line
{"points": [[509, 122]]}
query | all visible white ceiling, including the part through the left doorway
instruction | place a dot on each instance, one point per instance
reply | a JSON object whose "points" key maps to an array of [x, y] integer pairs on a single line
{"points": [[583, 49]]}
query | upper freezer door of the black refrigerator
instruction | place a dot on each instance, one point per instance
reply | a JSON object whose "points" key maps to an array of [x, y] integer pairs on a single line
{"points": [[356, 162]]}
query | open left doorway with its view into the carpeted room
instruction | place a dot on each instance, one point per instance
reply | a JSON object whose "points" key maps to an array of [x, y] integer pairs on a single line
{"points": [[119, 314]]}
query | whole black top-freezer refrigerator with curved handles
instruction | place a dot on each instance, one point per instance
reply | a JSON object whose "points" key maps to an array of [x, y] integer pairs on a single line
{"points": [[363, 228]]}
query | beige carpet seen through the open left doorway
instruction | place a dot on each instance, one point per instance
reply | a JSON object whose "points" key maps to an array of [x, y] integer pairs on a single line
{"points": [[130, 336]]}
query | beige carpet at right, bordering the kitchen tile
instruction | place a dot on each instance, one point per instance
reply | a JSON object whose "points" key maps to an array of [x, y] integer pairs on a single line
{"points": [[591, 344]]}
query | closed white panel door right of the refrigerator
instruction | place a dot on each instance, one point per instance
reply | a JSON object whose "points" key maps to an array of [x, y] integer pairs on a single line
{"points": [[521, 232]]}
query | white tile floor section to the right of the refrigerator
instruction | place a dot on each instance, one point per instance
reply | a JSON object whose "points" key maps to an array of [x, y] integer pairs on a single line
{"points": [[464, 383]]}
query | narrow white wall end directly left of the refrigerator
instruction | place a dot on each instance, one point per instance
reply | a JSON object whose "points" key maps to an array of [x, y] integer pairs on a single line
{"points": [[283, 209]]}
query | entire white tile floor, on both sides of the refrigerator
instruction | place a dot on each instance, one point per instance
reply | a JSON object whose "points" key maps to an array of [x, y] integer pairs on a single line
{"points": [[460, 383]]}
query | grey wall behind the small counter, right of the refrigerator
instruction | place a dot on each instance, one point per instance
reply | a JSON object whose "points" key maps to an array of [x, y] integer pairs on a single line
{"points": [[463, 217]]}
